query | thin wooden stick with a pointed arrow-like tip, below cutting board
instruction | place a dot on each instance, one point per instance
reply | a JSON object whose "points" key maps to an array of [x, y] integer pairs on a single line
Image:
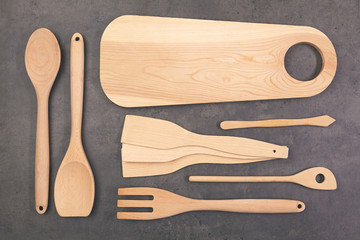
{"points": [[321, 121]]}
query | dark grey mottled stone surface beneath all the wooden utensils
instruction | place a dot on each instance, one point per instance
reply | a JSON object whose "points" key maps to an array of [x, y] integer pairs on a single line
{"points": [[329, 214]]}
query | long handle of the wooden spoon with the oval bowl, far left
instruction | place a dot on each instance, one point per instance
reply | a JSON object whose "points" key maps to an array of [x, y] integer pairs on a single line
{"points": [[42, 155]]}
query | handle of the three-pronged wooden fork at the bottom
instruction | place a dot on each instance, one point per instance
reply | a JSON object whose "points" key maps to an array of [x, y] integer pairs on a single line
{"points": [[249, 205]]}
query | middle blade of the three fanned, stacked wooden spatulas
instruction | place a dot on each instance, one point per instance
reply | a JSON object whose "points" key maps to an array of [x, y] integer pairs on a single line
{"points": [[132, 153]]}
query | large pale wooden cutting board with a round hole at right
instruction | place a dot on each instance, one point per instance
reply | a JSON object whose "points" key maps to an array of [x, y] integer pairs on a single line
{"points": [[152, 61]]}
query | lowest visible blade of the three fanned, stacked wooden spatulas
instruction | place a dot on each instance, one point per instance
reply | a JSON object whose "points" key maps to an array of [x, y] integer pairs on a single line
{"points": [[143, 169]]}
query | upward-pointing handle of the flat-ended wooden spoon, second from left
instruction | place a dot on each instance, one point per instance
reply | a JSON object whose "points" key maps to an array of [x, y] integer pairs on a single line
{"points": [[77, 84]]}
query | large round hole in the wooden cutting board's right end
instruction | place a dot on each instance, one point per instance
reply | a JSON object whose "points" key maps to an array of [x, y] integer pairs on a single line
{"points": [[303, 62]]}
